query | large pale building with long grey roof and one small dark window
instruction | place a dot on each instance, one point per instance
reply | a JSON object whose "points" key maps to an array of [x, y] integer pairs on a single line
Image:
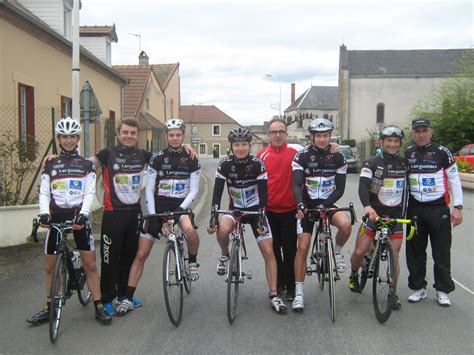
{"points": [[378, 87]]}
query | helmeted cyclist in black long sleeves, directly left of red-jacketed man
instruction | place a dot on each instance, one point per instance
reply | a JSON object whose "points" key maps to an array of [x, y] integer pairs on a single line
{"points": [[246, 179]]}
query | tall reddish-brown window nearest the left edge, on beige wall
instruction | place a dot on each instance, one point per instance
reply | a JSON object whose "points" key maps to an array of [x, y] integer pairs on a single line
{"points": [[26, 119]]}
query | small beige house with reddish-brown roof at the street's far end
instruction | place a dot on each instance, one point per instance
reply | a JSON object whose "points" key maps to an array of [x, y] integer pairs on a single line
{"points": [[207, 128]]}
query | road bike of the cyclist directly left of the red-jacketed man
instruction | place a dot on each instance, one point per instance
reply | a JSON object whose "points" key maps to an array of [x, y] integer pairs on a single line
{"points": [[237, 256]]}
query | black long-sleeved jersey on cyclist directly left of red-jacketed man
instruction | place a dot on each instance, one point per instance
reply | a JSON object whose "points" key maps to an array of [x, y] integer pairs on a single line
{"points": [[246, 183]]}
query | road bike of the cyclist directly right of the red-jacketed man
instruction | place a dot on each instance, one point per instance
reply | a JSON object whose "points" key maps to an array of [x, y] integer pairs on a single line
{"points": [[322, 259]]}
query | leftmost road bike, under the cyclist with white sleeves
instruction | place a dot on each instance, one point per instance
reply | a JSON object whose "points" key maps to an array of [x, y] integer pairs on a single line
{"points": [[68, 277]]}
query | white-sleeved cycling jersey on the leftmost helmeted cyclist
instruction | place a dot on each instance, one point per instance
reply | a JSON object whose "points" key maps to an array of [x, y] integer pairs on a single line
{"points": [[67, 184]]}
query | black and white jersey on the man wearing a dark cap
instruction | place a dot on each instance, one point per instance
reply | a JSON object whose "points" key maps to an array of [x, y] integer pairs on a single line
{"points": [[430, 168]]}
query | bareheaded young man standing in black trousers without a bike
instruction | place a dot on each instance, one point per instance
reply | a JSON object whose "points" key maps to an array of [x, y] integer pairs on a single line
{"points": [[123, 167]]}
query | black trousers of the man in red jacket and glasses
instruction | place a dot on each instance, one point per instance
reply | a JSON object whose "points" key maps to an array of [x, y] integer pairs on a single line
{"points": [[283, 226]]}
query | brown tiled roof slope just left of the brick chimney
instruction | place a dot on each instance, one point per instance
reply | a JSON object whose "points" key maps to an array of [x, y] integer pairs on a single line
{"points": [[135, 89]]}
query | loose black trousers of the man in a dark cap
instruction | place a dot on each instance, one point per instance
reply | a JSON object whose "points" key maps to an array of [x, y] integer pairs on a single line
{"points": [[433, 222]]}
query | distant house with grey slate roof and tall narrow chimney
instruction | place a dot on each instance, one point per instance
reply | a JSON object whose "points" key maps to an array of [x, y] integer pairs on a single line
{"points": [[316, 101]]}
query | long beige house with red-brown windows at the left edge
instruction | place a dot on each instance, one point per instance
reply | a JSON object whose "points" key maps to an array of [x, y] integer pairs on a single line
{"points": [[35, 67]]}
